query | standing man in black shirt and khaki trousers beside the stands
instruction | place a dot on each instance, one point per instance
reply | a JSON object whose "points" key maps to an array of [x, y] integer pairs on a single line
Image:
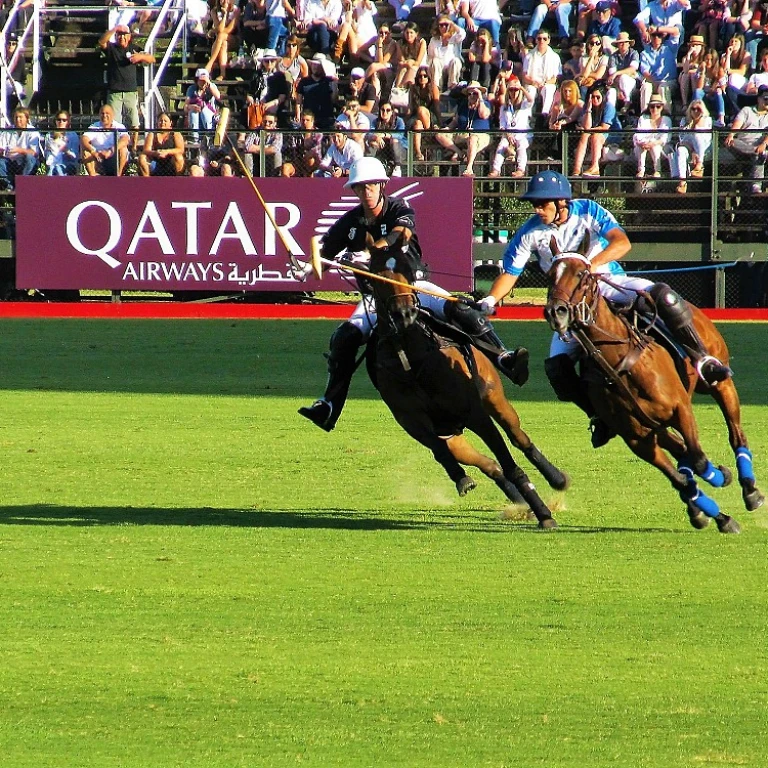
{"points": [[123, 60]]}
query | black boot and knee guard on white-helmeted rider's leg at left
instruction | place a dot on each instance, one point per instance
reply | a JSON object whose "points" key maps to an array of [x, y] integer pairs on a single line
{"points": [[325, 412]]}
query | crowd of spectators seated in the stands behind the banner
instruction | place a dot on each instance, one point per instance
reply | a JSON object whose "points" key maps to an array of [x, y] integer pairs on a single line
{"points": [[327, 83]]}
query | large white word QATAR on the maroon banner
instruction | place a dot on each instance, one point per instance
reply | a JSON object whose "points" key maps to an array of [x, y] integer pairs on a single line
{"points": [[172, 240]]}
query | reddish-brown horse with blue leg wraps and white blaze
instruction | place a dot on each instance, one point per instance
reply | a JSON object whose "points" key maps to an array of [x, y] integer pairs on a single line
{"points": [[637, 388]]}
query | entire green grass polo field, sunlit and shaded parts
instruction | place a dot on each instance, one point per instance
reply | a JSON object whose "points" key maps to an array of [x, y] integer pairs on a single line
{"points": [[192, 575]]}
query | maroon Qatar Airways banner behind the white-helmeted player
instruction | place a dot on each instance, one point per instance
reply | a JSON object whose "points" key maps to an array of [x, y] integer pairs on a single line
{"points": [[135, 233]]}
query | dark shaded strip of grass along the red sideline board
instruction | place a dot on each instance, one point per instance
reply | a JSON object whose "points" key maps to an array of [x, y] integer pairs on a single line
{"points": [[281, 358]]}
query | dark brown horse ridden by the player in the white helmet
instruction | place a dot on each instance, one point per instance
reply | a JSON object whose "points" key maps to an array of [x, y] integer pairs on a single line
{"points": [[436, 388]]}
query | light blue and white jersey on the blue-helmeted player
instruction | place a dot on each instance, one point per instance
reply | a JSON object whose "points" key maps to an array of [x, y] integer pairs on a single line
{"points": [[533, 238]]}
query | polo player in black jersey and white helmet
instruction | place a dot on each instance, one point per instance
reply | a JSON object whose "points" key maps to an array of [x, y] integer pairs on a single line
{"points": [[381, 224]]}
